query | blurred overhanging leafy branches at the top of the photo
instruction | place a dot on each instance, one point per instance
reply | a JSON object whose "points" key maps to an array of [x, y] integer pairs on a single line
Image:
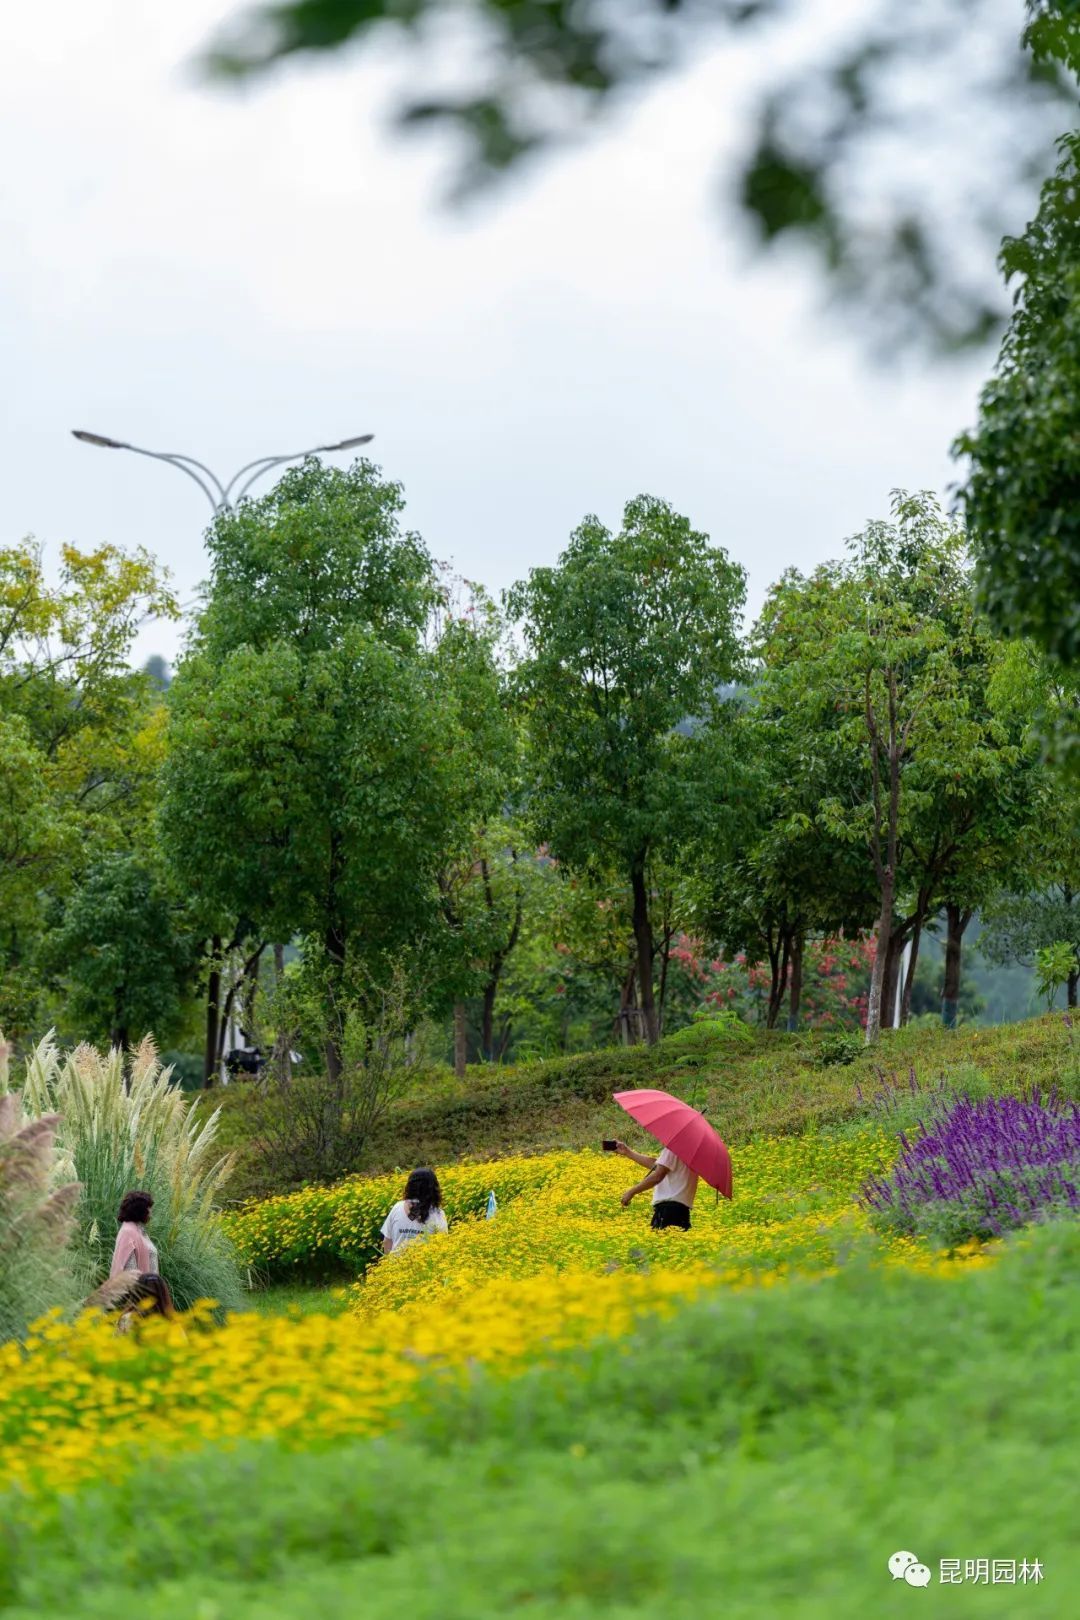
{"points": [[901, 153]]}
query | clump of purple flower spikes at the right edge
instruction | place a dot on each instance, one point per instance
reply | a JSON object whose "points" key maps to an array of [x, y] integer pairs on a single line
{"points": [[982, 1169]]}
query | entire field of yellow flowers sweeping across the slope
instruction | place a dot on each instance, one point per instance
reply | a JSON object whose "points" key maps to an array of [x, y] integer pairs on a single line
{"points": [[561, 1264]]}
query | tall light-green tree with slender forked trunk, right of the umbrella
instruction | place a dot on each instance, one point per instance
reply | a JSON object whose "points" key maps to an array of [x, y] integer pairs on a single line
{"points": [[893, 675]]}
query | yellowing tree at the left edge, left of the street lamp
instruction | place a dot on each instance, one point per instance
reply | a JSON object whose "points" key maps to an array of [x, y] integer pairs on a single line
{"points": [[80, 733]]}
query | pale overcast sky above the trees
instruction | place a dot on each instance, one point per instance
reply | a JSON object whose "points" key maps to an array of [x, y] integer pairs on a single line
{"points": [[234, 276]]}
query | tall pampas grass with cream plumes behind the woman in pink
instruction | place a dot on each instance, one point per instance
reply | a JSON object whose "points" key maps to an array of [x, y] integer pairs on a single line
{"points": [[134, 1128]]}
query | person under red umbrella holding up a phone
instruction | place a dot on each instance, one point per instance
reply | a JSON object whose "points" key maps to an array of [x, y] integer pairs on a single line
{"points": [[691, 1151]]}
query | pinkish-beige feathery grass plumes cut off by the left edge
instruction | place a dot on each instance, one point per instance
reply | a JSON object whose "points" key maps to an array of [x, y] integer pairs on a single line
{"points": [[36, 1221]]}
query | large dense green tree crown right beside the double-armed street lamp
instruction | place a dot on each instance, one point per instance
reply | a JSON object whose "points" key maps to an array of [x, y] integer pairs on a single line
{"points": [[317, 748]]}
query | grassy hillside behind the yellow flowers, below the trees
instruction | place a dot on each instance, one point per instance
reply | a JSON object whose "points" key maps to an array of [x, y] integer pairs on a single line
{"points": [[767, 1085]]}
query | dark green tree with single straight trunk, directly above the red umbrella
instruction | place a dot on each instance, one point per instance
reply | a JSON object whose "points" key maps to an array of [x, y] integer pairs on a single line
{"points": [[631, 641]]}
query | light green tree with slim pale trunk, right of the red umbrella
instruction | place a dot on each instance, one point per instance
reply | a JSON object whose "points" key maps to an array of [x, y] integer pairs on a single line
{"points": [[869, 659]]}
